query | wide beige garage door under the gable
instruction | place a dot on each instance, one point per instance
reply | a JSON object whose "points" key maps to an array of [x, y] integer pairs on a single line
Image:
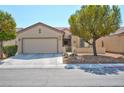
{"points": [[44, 45]]}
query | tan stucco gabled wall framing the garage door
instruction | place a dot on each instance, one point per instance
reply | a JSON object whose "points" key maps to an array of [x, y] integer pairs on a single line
{"points": [[34, 33]]}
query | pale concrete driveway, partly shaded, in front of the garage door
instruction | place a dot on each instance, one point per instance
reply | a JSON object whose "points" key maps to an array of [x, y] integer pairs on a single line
{"points": [[32, 60]]}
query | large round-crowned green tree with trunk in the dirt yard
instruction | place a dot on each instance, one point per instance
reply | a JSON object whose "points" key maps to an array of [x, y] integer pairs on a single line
{"points": [[94, 21]]}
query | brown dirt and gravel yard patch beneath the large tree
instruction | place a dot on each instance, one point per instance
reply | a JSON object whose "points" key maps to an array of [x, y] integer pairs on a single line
{"points": [[90, 59]]}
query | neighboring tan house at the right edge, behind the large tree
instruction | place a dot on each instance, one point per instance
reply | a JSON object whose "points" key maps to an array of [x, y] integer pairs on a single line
{"points": [[114, 42]]}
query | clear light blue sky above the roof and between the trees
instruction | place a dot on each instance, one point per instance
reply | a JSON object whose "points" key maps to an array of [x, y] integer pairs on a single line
{"points": [[54, 15]]}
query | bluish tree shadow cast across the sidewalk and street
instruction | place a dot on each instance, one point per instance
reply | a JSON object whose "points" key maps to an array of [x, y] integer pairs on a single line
{"points": [[99, 70]]}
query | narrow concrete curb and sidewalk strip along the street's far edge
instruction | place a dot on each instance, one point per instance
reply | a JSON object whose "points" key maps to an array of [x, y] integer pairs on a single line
{"points": [[66, 66]]}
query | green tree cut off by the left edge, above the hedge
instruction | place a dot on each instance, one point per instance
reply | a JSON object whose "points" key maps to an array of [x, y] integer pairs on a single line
{"points": [[7, 29]]}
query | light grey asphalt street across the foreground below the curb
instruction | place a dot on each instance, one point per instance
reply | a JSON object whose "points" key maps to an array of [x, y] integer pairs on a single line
{"points": [[56, 77]]}
